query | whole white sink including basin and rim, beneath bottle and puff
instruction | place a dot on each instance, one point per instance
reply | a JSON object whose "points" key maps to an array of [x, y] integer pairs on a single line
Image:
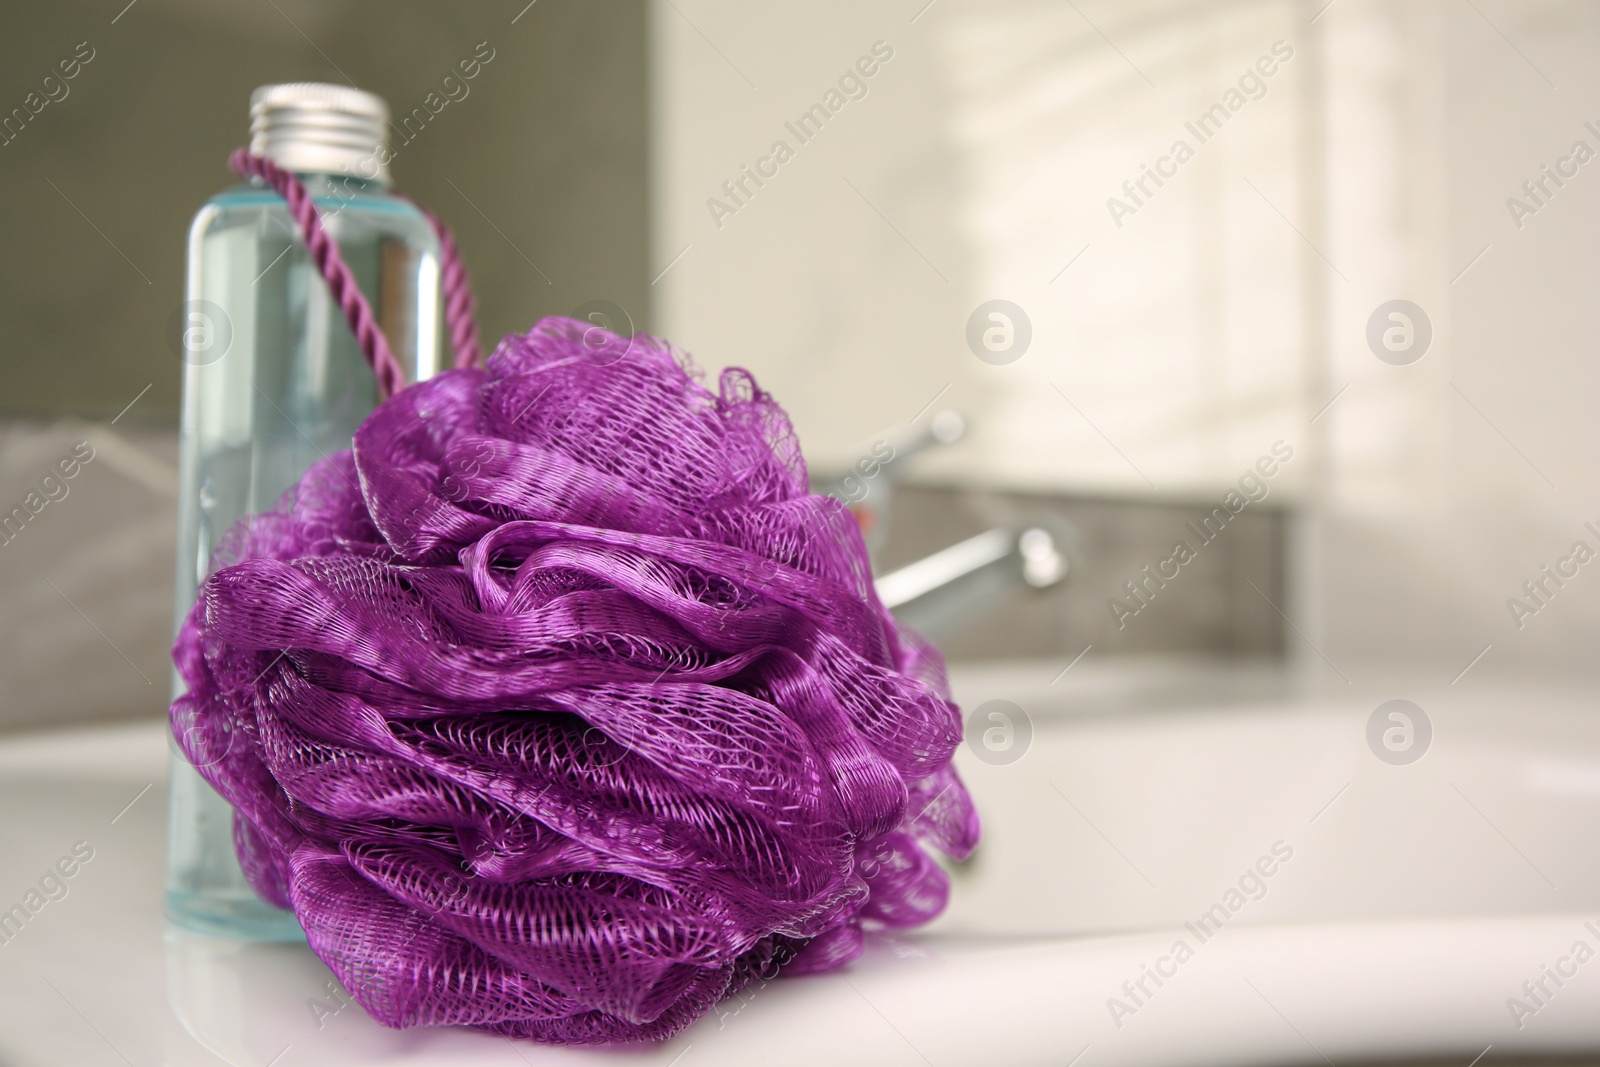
{"points": [[1332, 908]]}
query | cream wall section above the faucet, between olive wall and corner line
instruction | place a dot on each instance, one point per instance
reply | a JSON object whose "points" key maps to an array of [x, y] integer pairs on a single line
{"points": [[978, 166]]}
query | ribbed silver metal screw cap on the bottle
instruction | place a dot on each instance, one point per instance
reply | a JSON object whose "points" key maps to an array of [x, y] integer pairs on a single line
{"points": [[321, 129]]}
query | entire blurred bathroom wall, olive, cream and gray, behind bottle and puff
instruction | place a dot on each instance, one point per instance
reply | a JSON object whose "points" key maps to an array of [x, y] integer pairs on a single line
{"points": [[967, 151]]}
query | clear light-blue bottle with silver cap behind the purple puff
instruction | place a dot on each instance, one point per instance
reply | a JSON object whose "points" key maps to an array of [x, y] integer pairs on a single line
{"points": [[273, 383]]}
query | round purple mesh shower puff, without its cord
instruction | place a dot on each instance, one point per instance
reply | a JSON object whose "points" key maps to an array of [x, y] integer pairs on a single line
{"points": [[561, 708]]}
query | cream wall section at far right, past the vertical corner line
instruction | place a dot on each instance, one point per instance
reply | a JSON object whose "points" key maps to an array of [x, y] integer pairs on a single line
{"points": [[1452, 482]]}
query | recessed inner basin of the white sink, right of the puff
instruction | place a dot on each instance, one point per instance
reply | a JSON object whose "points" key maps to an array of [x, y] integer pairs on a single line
{"points": [[1114, 823]]}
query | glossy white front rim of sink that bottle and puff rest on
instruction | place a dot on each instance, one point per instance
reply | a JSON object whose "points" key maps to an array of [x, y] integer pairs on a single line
{"points": [[97, 977]]}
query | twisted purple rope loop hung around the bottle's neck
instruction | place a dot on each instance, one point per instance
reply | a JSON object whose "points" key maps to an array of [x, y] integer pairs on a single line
{"points": [[460, 303]]}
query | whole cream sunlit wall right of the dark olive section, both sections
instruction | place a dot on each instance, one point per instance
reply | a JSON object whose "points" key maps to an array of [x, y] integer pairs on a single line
{"points": [[1178, 337]]}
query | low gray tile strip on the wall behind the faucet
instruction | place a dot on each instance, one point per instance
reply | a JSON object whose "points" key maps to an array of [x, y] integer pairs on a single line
{"points": [[1225, 602]]}
